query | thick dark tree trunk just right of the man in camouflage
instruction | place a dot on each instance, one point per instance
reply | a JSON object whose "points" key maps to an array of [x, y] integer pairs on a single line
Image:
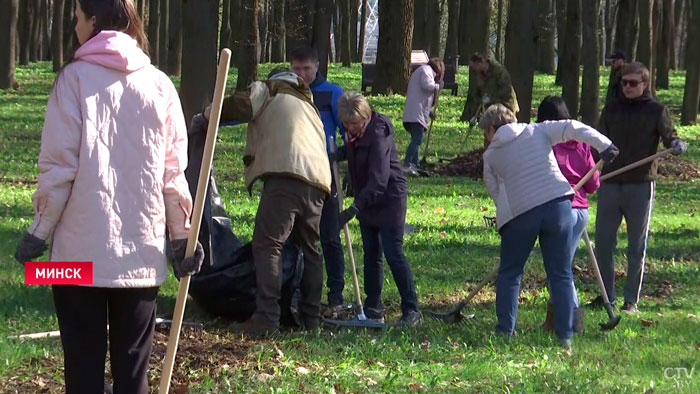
{"points": [[521, 40]]}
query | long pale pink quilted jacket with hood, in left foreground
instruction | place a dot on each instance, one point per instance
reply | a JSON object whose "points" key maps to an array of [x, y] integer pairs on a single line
{"points": [[112, 161]]}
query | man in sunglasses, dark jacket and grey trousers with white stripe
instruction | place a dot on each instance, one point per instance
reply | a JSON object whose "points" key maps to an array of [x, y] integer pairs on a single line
{"points": [[635, 124]]}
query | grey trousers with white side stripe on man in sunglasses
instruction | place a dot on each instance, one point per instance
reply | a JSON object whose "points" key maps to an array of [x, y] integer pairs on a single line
{"points": [[634, 202]]}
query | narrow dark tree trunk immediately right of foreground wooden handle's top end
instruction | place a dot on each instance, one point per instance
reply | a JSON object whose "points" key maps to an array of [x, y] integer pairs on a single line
{"points": [[248, 55]]}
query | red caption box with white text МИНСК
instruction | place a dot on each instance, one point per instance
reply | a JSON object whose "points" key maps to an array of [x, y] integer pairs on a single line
{"points": [[58, 273]]}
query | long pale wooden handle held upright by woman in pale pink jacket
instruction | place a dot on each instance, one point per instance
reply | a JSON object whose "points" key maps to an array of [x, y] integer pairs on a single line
{"points": [[196, 219]]}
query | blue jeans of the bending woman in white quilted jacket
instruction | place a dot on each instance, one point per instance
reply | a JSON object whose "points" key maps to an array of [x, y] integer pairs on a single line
{"points": [[552, 223]]}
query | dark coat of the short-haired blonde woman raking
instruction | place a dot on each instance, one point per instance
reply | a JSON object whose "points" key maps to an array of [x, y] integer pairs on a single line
{"points": [[376, 174]]}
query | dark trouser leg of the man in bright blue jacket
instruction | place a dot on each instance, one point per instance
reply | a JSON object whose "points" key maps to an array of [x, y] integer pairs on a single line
{"points": [[332, 249]]}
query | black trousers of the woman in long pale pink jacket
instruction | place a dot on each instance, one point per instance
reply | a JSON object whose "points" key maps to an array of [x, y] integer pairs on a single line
{"points": [[83, 314]]}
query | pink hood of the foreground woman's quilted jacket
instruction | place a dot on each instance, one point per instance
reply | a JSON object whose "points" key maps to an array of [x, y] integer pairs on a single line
{"points": [[115, 50]]}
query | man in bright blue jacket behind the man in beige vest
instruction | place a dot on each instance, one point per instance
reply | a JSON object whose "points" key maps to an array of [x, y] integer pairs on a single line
{"points": [[304, 63]]}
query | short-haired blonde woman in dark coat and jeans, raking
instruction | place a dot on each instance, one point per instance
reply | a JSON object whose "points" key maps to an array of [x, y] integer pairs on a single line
{"points": [[380, 202]]}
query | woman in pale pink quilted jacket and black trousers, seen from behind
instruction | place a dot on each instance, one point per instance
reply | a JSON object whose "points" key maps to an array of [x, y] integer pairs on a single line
{"points": [[112, 161]]}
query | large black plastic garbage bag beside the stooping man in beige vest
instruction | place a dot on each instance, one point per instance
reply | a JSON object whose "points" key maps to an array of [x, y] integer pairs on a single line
{"points": [[225, 286]]}
